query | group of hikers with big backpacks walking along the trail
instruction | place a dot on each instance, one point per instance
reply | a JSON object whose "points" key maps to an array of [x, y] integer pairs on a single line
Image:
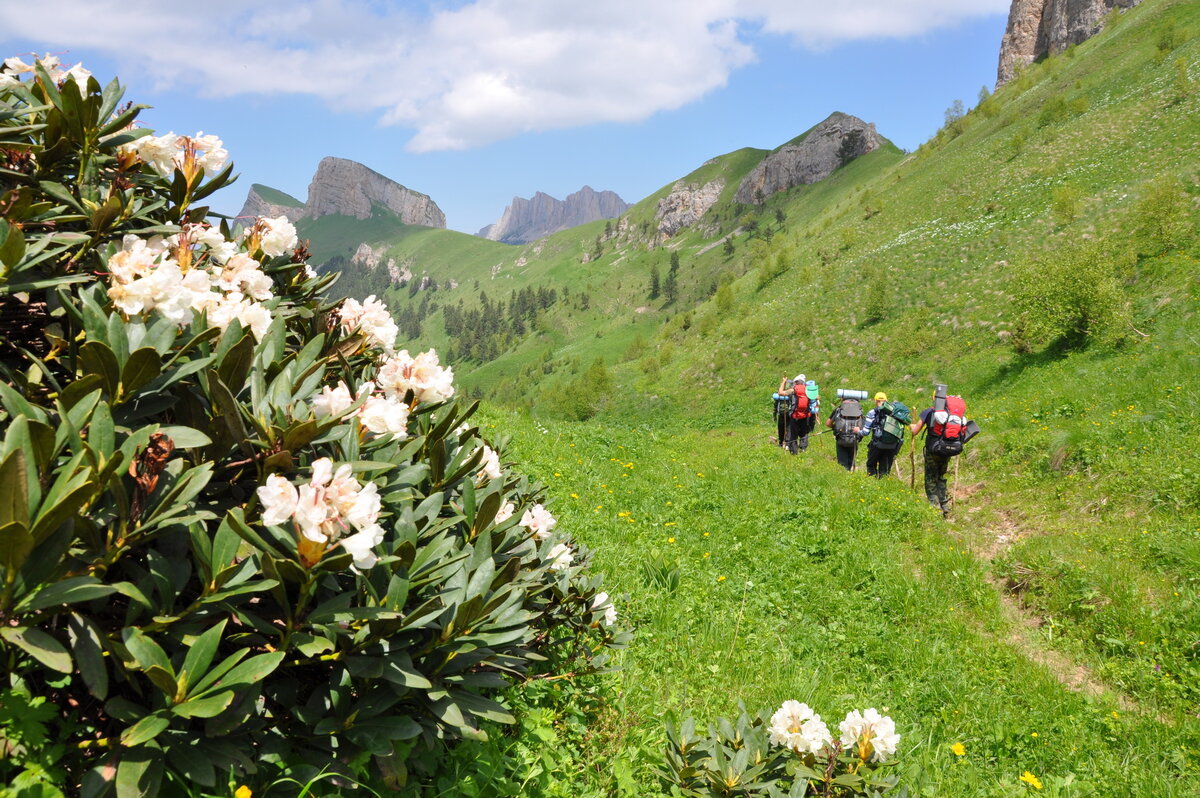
{"points": [[797, 410]]}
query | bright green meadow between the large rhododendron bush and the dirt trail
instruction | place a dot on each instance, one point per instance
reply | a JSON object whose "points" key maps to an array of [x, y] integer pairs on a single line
{"points": [[754, 577]]}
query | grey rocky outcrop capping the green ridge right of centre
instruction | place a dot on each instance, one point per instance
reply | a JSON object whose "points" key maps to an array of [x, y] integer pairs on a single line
{"points": [[837, 141]]}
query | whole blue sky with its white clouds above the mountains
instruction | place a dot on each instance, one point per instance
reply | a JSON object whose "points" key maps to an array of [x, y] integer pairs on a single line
{"points": [[477, 101]]}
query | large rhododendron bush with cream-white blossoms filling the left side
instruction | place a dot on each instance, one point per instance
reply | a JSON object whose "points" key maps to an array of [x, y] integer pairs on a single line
{"points": [[238, 530]]}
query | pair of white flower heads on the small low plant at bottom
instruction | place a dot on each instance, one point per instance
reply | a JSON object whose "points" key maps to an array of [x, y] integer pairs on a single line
{"points": [[869, 735]]}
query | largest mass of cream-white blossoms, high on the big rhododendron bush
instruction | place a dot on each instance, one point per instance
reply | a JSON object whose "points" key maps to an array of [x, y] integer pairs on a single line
{"points": [[159, 275]]}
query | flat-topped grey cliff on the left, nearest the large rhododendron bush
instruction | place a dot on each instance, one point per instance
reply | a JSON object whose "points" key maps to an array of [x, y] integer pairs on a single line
{"points": [[350, 189]]}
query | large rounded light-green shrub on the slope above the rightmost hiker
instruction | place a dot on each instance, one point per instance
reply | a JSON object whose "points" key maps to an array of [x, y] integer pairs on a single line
{"points": [[1073, 296]]}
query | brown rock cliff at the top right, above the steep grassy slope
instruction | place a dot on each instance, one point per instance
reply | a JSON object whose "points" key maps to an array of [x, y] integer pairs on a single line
{"points": [[1041, 28]]}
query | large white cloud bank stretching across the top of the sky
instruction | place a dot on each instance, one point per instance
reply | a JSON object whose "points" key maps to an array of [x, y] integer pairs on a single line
{"points": [[470, 75]]}
